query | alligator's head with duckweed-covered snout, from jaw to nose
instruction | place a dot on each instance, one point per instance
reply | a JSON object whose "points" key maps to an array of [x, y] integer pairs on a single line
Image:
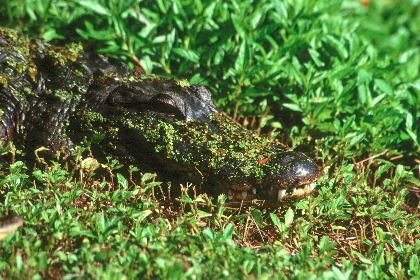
{"points": [[180, 131]]}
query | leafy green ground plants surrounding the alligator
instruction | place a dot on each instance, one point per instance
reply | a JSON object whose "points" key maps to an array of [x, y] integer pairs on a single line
{"points": [[335, 79]]}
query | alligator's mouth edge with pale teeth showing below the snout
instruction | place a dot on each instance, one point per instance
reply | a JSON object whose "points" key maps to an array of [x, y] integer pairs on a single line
{"points": [[272, 194]]}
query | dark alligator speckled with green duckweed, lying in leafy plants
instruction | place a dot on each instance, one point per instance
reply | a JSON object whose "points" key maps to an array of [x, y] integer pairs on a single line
{"points": [[58, 96]]}
